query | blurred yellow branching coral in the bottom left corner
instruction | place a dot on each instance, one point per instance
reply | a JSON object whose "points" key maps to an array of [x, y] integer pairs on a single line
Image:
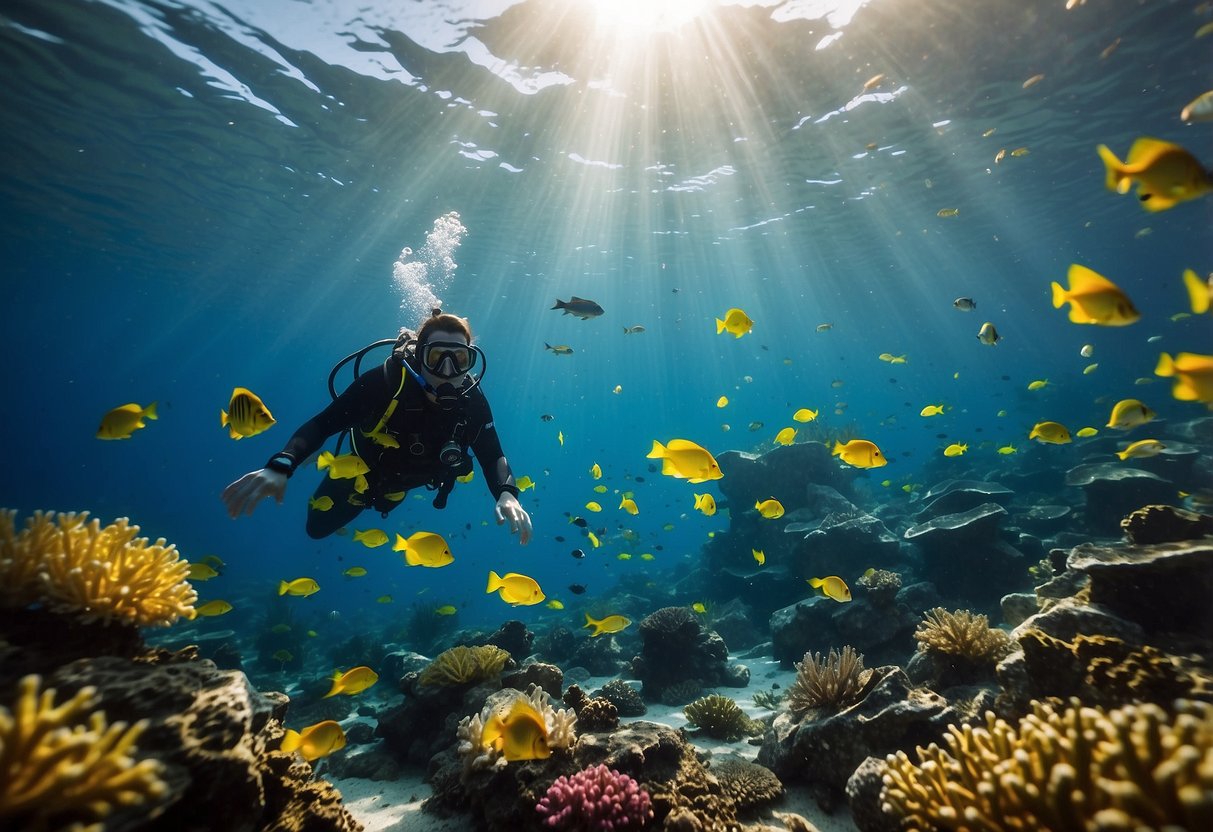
{"points": [[59, 765]]}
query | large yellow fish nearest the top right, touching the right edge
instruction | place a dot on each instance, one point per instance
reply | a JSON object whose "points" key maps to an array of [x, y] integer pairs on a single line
{"points": [[1165, 174]]}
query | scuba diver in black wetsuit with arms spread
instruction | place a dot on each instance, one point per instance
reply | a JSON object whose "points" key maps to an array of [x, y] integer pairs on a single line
{"points": [[412, 421]]}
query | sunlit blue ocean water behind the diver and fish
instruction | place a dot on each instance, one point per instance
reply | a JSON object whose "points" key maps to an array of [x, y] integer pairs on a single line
{"points": [[204, 196]]}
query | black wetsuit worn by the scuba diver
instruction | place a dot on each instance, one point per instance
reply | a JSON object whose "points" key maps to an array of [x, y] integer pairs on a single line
{"points": [[419, 426]]}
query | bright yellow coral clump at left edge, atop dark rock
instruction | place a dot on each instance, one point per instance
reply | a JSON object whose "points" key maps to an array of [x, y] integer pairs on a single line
{"points": [[101, 573]]}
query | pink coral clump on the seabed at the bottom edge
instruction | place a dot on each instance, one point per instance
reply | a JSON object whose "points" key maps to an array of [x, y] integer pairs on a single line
{"points": [[597, 800]]}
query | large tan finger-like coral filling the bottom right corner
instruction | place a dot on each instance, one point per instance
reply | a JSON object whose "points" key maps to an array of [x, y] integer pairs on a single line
{"points": [[1079, 770]]}
